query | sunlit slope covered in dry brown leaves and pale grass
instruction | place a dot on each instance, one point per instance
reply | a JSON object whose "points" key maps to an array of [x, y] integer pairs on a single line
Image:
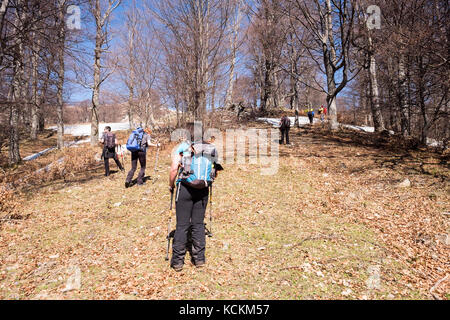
{"points": [[332, 224]]}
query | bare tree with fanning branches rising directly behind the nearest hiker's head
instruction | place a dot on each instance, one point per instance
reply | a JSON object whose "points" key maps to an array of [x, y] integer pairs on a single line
{"points": [[194, 30]]}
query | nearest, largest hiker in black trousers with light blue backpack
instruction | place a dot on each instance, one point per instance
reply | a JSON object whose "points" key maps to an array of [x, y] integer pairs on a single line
{"points": [[194, 163]]}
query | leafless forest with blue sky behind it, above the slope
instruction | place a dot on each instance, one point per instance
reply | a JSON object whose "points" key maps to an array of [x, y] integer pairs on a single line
{"points": [[379, 63]]}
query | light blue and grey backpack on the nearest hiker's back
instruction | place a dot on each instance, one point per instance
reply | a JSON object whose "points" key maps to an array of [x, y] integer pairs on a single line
{"points": [[197, 167]]}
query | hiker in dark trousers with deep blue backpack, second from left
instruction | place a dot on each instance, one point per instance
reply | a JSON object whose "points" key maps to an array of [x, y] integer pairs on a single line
{"points": [[137, 144]]}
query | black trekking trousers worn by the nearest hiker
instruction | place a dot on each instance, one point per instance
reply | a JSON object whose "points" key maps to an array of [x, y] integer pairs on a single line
{"points": [[190, 210]]}
